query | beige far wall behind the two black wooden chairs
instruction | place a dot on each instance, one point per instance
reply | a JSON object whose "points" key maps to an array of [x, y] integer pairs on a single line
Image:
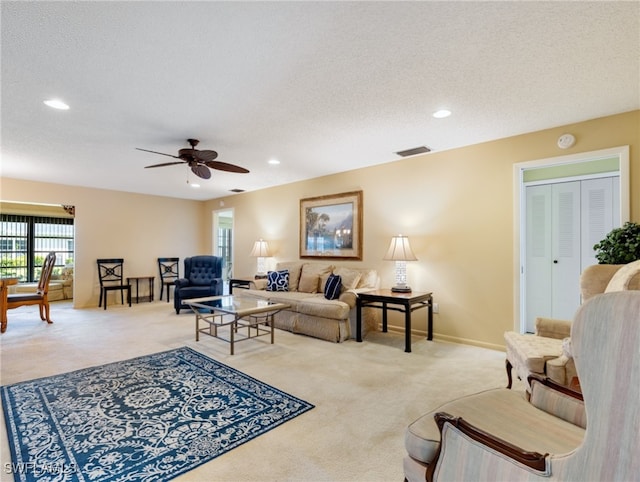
{"points": [[138, 228]]}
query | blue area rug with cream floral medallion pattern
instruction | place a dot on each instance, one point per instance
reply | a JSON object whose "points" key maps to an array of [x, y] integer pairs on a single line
{"points": [[147, 419]]}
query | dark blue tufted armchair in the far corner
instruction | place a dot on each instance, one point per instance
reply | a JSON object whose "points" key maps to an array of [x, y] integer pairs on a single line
{"points": [[202, 277]]}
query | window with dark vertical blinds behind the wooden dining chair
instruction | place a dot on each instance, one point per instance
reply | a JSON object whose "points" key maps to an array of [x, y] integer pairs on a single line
{"points": [[26, 240]]}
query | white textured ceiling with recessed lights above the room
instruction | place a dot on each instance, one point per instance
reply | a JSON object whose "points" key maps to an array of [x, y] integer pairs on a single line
{"points": [[323, 87]]}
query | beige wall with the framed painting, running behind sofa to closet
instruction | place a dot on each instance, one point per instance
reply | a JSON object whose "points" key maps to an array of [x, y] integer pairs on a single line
{"points": [[457, 208]]}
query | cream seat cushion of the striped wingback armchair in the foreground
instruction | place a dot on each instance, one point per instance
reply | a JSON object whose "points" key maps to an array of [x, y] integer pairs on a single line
{"points": [[503, 413]]}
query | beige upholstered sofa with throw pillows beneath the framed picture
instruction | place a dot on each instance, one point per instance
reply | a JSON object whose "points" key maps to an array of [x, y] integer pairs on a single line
{"points": [[310, 312]]}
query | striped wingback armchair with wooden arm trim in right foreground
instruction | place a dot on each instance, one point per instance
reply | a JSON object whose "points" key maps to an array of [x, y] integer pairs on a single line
{"points": [[496, 435]]}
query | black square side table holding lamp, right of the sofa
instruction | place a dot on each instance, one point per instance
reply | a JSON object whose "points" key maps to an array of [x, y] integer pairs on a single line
{"points": [[403, 302]]}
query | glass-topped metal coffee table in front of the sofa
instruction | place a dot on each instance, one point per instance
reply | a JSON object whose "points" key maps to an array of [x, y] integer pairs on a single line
{"points": [[237, 314]]}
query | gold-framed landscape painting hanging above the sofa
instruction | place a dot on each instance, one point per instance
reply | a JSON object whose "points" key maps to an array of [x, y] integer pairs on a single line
{"points": [[331, 226]]}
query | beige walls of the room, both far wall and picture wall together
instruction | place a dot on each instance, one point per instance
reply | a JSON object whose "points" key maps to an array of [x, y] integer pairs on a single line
{"points": [[456, 206]]}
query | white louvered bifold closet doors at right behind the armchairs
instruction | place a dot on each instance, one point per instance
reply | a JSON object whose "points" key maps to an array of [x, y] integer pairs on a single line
{"points": [[564, 221]]}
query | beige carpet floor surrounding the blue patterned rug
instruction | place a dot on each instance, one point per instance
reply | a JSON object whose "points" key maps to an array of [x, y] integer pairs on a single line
{"points": [[365, 393]]}
